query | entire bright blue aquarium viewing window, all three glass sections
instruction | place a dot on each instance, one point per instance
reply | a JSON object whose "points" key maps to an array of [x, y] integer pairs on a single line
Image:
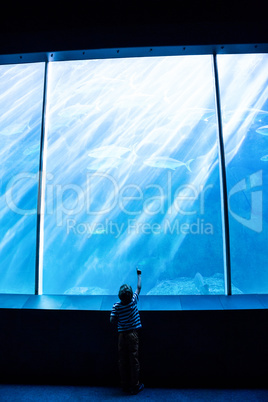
{"points": [[156, 161]]}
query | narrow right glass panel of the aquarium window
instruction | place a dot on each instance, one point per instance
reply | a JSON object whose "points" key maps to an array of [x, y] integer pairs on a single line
{"points": [[244, 94]]}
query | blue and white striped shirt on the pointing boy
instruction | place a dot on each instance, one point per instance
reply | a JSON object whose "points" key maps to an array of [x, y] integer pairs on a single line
{"points": [[127, 315]]}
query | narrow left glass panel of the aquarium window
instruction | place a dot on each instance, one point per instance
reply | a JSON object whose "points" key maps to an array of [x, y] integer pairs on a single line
{"points": [[21, 94]]}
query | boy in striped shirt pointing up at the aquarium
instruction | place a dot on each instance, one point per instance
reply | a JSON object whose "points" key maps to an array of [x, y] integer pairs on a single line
{"points": [[126, 314]]}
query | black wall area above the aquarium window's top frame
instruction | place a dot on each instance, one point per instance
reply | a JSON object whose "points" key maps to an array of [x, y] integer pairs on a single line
{"points": [[118, 23]]}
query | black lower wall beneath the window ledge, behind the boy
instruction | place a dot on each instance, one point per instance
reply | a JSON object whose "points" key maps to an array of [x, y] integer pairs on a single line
{"points": [[179, 349]]}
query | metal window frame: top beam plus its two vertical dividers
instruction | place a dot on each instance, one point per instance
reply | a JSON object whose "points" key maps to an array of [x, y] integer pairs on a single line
{"points": [[212, 50]]}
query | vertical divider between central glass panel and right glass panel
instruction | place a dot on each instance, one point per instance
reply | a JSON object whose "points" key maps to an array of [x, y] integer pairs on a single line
{"points": [[224, 194]]}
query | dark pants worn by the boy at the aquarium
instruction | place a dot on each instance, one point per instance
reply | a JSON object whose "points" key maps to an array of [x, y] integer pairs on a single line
{"points": [[129, 366]]}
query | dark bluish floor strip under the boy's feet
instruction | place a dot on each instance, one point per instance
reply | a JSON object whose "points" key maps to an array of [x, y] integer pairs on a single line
{"points": [[51, 393]]}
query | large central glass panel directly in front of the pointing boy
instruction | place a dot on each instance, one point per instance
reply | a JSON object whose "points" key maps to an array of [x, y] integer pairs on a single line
{"points": [[132, 177]]}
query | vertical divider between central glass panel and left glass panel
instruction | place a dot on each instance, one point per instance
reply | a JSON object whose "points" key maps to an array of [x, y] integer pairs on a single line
{"points": [[41, 194]]}
